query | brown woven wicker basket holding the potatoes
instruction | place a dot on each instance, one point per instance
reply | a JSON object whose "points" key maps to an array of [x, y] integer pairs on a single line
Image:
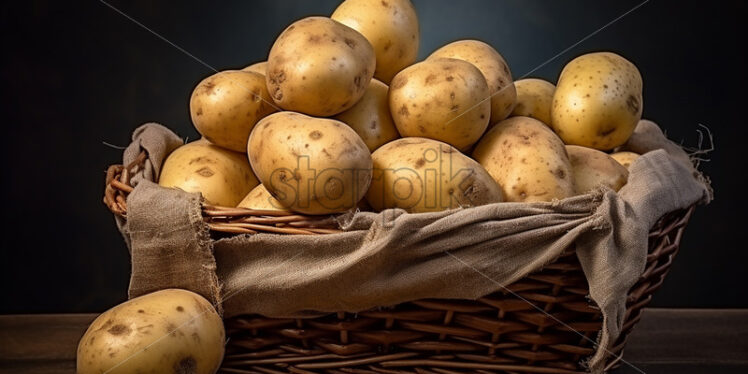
{"points": [[544, 323]]}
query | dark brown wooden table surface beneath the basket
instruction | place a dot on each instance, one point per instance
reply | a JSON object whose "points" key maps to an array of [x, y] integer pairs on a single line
{"points": [[665, 341]]}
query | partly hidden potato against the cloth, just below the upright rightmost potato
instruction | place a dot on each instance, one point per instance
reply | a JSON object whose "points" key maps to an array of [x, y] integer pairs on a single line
{"points": [[592, 169]]}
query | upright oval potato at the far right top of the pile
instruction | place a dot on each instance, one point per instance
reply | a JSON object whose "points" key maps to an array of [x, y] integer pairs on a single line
{"points": [[598, 101]]}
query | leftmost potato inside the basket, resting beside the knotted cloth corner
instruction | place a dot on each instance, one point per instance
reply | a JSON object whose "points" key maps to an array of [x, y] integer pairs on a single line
{"points": [[223, 177]]}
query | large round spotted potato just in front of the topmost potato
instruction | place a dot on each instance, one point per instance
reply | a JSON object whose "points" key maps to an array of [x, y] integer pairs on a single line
{"points": [[319, 67]]}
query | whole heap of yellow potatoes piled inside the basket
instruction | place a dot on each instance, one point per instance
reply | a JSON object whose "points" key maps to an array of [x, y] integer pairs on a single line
{"points": [[341, 116]]}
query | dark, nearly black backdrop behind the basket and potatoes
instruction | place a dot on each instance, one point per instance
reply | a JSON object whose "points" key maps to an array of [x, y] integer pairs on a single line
{"points": [[77, 75]]}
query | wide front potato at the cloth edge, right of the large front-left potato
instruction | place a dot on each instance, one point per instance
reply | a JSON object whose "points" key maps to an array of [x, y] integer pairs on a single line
{"points": [[424, 175]]}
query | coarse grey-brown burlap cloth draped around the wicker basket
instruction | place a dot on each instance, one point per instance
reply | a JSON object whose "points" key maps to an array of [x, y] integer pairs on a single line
{"points": [[392, 257]]}
